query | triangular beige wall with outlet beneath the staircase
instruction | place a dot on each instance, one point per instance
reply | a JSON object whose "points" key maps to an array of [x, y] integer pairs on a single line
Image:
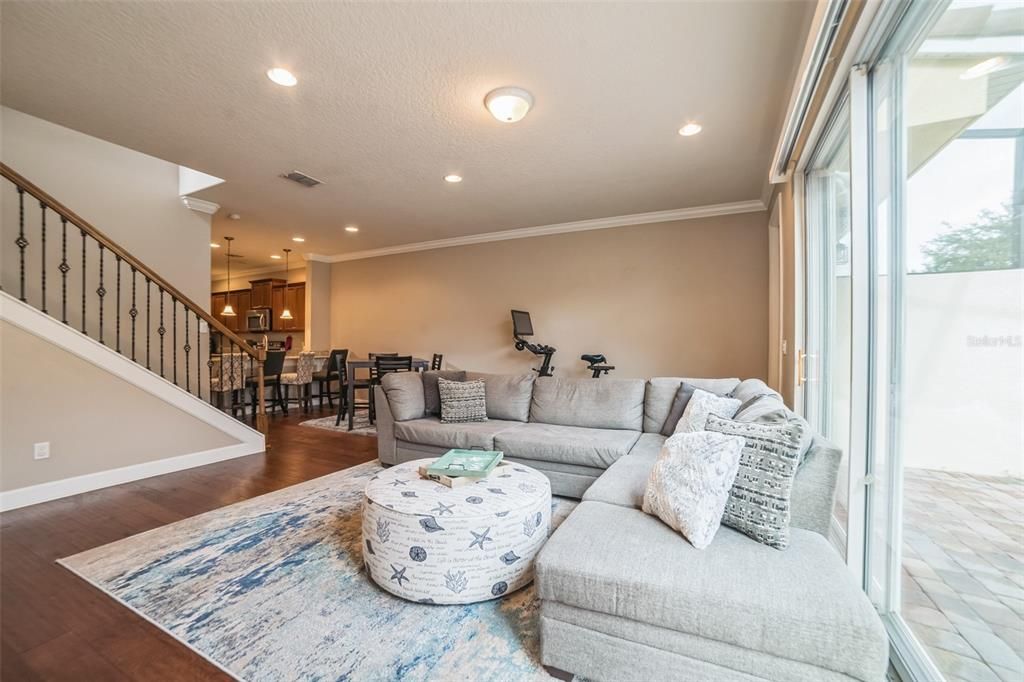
{"points": [[94, 420]]}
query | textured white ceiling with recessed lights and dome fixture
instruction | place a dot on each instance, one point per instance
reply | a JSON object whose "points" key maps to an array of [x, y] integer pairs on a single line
{"points": [[390, 101]]}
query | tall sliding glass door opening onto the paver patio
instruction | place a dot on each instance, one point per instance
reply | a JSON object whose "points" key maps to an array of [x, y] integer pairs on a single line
{"points": [[937, 430]]}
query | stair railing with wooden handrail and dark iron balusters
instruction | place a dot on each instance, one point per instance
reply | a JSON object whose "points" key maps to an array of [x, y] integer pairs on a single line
{"points": [[142, 299]]}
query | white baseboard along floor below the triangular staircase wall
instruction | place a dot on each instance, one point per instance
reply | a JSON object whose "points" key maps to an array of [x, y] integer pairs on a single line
{"points": [[32, 495]]}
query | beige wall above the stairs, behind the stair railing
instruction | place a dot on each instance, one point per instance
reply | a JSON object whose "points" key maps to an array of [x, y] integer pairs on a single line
{"points": [[131, 197]]}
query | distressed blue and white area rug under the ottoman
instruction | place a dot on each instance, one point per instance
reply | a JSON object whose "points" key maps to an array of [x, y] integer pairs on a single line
{"points": [[274, 589]]}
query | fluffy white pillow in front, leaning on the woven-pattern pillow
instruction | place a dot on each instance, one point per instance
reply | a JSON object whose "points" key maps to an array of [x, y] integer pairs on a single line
{"points": [[690, 485]]}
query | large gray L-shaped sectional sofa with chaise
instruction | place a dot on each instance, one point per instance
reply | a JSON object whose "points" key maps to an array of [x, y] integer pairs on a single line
{"points": [[624, 596]]}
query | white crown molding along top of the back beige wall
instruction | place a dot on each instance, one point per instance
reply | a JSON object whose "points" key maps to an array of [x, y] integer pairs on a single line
{"points": [[672, 216]]}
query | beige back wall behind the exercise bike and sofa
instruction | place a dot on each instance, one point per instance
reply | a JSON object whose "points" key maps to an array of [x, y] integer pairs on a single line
{"points": [[678, 299]]}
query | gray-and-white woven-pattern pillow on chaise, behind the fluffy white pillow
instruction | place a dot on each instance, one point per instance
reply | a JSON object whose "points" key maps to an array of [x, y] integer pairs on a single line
{"points": [[759, 503]]}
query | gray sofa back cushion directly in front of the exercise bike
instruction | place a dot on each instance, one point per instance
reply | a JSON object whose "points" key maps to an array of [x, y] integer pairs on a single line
{"points": [[609, 404]]}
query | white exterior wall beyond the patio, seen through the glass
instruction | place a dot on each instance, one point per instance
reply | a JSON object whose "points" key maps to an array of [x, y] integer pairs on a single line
{"points": [[963, 407]]}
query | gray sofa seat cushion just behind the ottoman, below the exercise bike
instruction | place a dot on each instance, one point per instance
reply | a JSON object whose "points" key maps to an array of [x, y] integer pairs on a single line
{"points": [[572, 445]]}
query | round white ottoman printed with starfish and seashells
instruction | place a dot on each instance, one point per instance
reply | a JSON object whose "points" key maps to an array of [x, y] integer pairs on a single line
{"points": [[439, 545]]}
